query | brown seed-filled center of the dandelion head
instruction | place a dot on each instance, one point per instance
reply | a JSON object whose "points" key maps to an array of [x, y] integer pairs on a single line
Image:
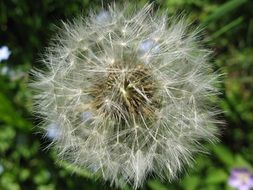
{"points": [[125, 91]]}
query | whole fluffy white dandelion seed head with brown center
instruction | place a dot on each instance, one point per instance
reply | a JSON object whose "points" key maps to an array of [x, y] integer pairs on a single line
{"points": [[130, 94]]}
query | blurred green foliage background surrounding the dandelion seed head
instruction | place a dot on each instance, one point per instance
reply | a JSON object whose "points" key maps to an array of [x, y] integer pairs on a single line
{"points": [[26, 28]]}
